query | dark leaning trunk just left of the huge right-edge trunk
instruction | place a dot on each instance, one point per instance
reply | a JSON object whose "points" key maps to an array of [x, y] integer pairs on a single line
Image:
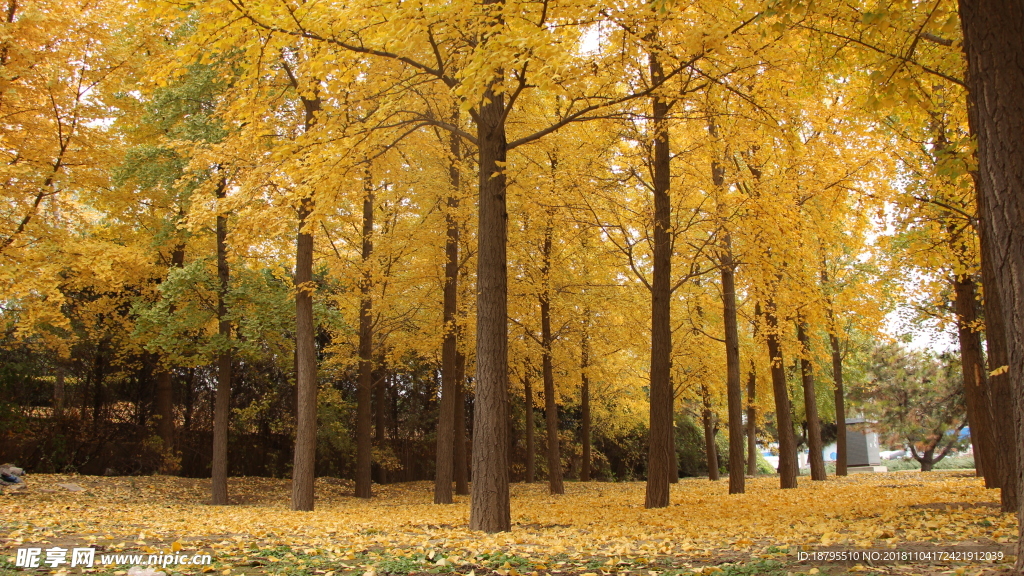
{"points": [[973, 371]]}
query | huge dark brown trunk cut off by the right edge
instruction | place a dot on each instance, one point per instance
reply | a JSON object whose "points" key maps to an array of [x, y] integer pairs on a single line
{"points": [[994, 45]]}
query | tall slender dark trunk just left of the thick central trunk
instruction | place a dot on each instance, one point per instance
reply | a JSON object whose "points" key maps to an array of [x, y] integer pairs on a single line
{"points": [[446, 418]]}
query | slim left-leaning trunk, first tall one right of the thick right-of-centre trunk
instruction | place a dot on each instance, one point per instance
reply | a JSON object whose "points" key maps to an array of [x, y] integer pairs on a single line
{"points": [[733, 385]]}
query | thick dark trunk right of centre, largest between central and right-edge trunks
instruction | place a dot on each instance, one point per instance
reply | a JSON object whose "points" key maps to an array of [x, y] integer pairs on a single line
{"points": [[660, 450]]}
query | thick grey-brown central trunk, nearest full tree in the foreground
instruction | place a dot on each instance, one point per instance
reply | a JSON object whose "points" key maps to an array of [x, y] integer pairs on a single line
{"points": [[490, 502]]}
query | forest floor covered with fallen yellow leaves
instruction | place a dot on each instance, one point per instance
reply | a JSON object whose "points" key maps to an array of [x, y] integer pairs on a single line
{"points": [[595, 529]]}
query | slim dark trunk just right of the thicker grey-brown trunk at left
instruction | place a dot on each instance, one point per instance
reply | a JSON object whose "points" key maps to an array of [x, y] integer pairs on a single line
{"points": [[364, 442]]}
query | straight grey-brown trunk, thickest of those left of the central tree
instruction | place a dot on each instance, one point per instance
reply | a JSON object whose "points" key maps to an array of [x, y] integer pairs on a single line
{"points": [[304, 470]]}
